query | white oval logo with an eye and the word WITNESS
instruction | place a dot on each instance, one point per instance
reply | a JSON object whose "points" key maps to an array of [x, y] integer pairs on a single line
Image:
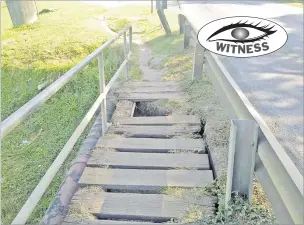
{"points": [[242, 36]]}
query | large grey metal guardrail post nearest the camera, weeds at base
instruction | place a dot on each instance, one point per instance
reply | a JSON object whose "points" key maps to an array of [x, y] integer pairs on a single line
{"points": [[241, 158]]}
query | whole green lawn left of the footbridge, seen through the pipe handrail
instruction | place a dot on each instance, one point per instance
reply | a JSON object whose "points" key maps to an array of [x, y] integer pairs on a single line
{"points": [[35, 54]]}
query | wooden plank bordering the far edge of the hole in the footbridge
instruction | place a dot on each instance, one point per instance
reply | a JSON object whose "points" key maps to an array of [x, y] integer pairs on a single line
{"points": [[139, 97]]}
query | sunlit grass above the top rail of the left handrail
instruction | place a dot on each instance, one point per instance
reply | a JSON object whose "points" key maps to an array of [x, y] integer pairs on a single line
{"points": [[43, 51]]}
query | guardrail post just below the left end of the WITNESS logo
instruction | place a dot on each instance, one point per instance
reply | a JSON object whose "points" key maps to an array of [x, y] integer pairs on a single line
{"points": [[198, 61]]}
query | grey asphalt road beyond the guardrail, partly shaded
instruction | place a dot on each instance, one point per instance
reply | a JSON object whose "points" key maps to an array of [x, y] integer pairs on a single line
{"points": [[273, 83]]}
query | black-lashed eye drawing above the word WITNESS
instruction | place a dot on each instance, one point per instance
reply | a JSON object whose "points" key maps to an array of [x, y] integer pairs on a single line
{"points": [[242, 32]]}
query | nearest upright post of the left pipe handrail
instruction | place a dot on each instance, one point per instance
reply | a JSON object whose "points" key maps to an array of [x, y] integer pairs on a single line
{"points": [[102, 86]]}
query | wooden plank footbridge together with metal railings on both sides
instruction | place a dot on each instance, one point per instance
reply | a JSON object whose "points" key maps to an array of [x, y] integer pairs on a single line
{"points": [[122, 172]]}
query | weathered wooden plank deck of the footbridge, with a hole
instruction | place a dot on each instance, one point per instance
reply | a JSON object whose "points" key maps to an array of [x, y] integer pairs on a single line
{"points": [[145, 157]]}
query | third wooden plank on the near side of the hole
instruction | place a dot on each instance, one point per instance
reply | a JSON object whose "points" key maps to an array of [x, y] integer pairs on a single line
{"points": [[151, 144]]}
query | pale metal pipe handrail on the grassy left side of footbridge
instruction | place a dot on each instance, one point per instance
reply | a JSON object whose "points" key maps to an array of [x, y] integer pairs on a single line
{"points": [[22, 113]]}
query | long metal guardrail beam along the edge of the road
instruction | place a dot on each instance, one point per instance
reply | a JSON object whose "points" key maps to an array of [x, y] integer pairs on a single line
{"points": [[279, 177]]}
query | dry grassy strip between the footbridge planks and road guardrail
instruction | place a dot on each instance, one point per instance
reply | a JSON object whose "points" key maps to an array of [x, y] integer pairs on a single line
{"points": [[201, 100]]}
